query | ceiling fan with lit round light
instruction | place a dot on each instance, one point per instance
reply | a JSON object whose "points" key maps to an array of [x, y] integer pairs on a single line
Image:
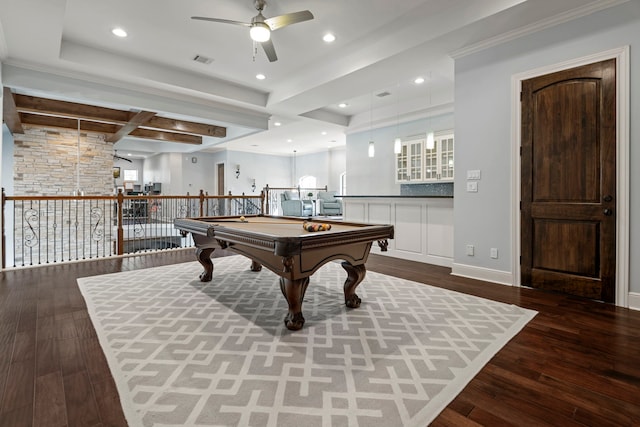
{"points": [[261, 27]]}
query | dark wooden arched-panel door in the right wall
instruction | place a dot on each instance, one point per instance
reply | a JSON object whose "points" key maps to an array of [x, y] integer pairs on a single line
{"points": [[568, 165]]}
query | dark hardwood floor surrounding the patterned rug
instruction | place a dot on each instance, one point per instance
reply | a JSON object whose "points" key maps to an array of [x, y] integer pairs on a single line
{"points": [[577, 363]]}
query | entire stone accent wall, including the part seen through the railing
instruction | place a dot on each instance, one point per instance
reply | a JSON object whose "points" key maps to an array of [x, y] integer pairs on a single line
{"points": [[45, 164]]}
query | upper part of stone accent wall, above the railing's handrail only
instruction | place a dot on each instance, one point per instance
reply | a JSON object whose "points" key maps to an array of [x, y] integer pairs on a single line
{"points": [[45, 161]]}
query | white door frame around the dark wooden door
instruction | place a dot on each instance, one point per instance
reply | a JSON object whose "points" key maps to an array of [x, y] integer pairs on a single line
{"points": [[621, 55]]}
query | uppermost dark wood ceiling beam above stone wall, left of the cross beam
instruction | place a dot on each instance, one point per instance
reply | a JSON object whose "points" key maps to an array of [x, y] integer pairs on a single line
{"points": [[31, 104]]}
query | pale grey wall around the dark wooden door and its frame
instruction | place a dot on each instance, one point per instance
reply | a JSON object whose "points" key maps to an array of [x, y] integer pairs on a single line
{"points": [[484, 128]]}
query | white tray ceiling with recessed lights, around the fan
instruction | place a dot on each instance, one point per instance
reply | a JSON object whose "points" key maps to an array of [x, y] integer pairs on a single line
{"points": [[381, 46]]}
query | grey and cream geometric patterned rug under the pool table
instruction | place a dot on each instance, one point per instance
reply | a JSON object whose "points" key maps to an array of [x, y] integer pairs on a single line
{"points": [[187, 353]]}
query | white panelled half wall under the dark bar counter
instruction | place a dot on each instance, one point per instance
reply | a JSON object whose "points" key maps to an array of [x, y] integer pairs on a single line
{"points": [[423, 225]]}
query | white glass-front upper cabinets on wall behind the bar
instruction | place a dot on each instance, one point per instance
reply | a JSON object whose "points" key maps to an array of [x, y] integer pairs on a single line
{"points": [[418, 163]]}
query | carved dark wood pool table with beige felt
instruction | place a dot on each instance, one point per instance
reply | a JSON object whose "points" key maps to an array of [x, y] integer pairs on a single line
{"points": [[283, 246]]}
